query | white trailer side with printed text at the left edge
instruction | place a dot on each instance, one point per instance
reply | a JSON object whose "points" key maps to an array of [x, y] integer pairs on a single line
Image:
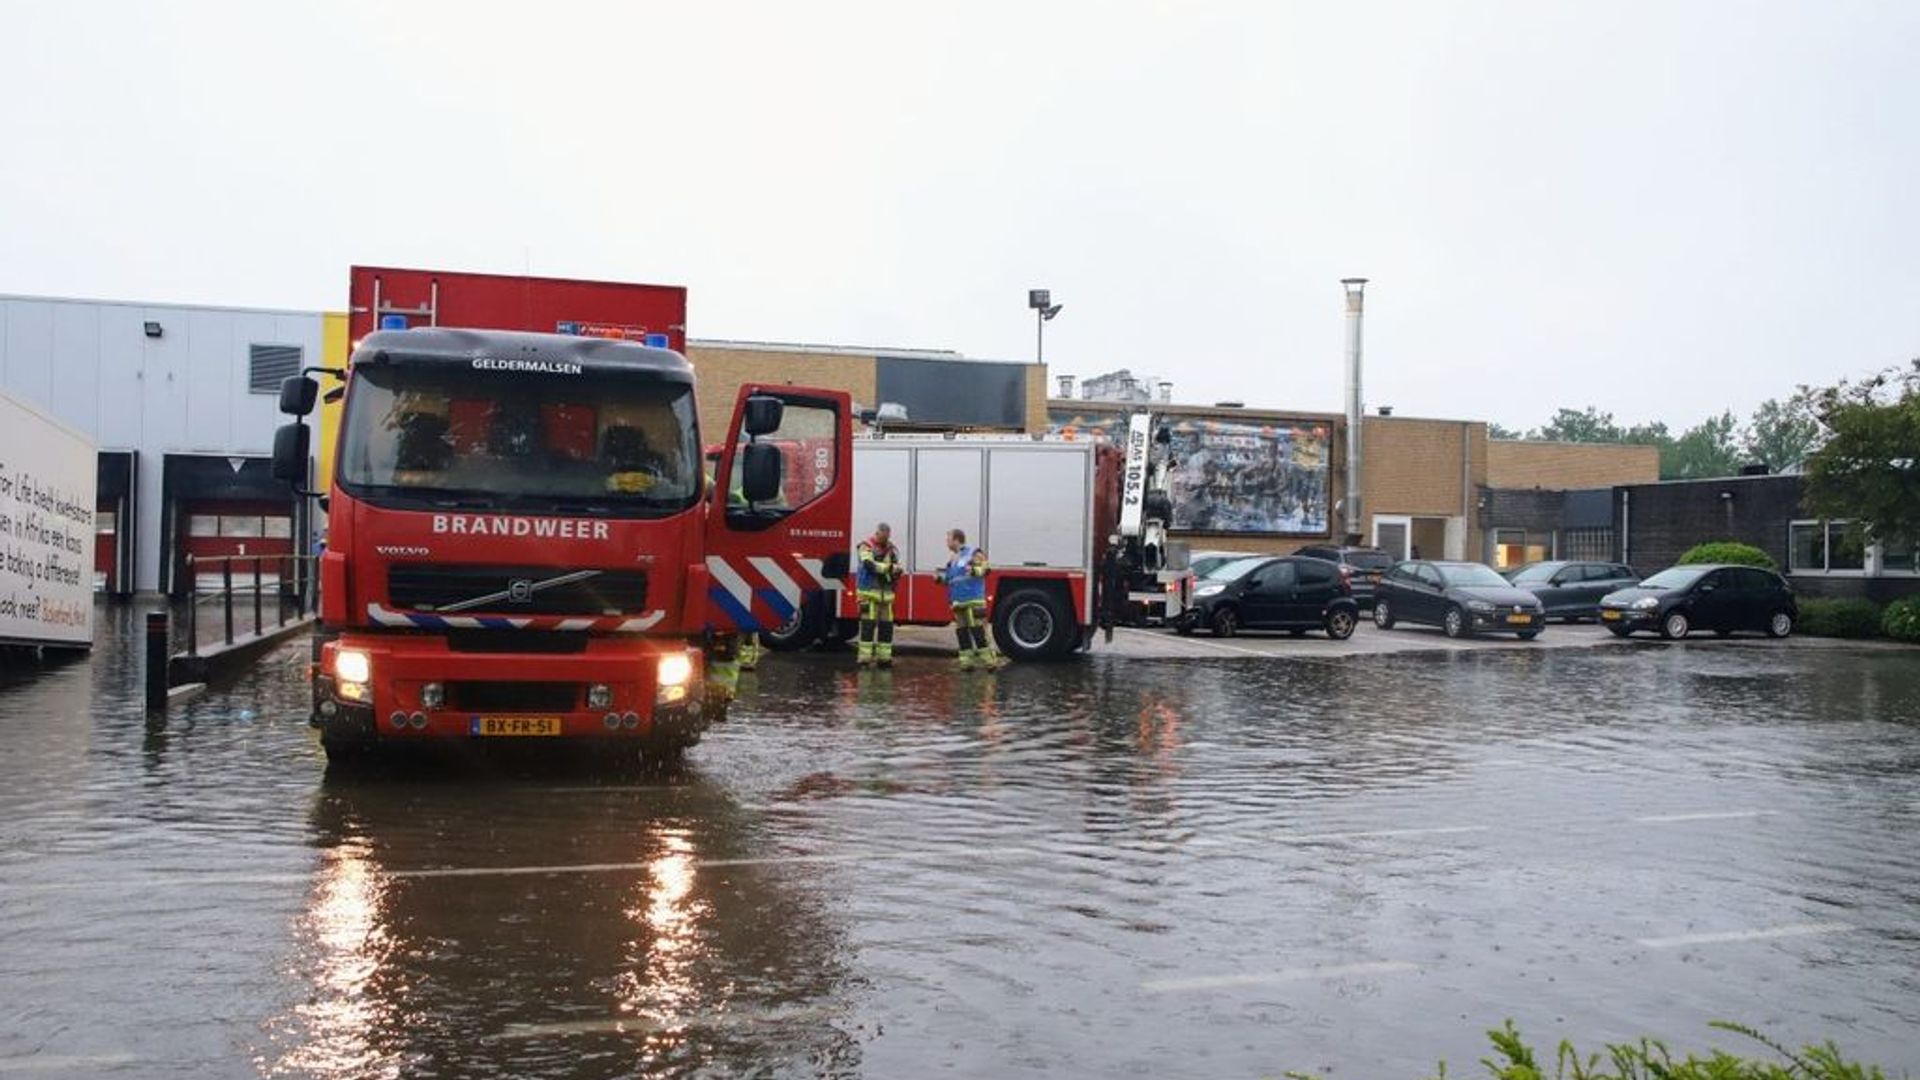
{"points": [[47, 529]]}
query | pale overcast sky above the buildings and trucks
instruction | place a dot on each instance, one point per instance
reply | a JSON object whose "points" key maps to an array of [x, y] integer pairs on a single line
{"points": [[1658, 209]]}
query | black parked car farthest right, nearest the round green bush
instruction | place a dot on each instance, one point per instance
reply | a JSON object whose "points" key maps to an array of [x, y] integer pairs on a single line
{"points": [[1704, 599]]}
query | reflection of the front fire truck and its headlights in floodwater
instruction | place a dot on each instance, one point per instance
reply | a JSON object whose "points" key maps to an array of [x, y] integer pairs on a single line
{"points": [[444, 937]]}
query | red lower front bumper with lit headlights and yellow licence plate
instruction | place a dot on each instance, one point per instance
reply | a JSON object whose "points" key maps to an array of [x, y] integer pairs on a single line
{"points": [[489, 697]]}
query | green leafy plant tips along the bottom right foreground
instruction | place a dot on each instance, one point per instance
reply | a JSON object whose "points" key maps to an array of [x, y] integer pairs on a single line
{"points": [[1650, 1060]]}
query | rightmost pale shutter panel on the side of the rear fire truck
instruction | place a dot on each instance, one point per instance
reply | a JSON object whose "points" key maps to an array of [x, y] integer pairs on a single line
{"points": [[1038, 506]]}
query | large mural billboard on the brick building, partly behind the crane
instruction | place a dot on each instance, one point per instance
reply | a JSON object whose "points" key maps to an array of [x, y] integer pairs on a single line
{"points": [[1255, 478]]}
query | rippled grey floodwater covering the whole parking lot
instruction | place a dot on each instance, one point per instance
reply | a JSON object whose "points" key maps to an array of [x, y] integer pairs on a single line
{"points": [[1118, 868]]}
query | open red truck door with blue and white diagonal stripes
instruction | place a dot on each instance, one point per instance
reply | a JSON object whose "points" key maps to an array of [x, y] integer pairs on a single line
{"points": [[780, 516]]}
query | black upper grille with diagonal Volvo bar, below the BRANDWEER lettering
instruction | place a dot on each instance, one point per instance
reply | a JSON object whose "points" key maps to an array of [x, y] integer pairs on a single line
{"points": [[516, 591]]}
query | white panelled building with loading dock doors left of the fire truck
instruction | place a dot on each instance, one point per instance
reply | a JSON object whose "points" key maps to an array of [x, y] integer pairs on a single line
{"points": [[183, 405]]}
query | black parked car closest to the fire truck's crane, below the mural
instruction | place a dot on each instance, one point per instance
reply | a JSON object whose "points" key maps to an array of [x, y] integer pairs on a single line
{"points": [[1274, 595]]}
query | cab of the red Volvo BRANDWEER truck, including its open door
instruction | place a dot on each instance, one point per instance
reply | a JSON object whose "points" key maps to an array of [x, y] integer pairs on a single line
{"points": [[523, 541]]}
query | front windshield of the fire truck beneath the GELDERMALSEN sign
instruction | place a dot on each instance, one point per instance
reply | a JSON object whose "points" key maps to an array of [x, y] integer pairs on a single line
{"points": [[427, 435]]}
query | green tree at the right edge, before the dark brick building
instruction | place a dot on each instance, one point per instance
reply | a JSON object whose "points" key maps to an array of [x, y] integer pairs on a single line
{"points": [[1869, 468]]}
